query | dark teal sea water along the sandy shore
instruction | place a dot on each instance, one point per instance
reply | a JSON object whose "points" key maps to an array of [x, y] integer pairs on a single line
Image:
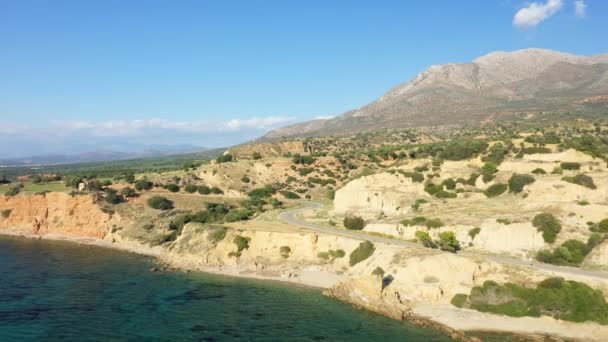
{"points": [[53, 290]]}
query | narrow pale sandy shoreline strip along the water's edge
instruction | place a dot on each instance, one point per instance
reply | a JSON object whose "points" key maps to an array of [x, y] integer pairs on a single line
{"points": [[460, 325]]}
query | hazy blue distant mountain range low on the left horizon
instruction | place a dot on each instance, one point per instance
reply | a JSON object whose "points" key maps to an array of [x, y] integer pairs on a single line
{"points": [[98, 156]]}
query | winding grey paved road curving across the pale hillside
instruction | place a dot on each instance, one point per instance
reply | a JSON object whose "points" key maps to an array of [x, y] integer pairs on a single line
{"points": [[290, 217]]}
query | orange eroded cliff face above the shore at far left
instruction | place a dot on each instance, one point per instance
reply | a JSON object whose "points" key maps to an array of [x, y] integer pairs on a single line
{"points": [[56, 213]]}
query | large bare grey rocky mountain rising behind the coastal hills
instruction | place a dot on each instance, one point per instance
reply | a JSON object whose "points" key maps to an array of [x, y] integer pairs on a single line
{"points": [[523, 81]]}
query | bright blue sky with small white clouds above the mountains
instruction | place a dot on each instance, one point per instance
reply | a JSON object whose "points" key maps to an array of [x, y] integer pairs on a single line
{"points": [[79, 76]]}
